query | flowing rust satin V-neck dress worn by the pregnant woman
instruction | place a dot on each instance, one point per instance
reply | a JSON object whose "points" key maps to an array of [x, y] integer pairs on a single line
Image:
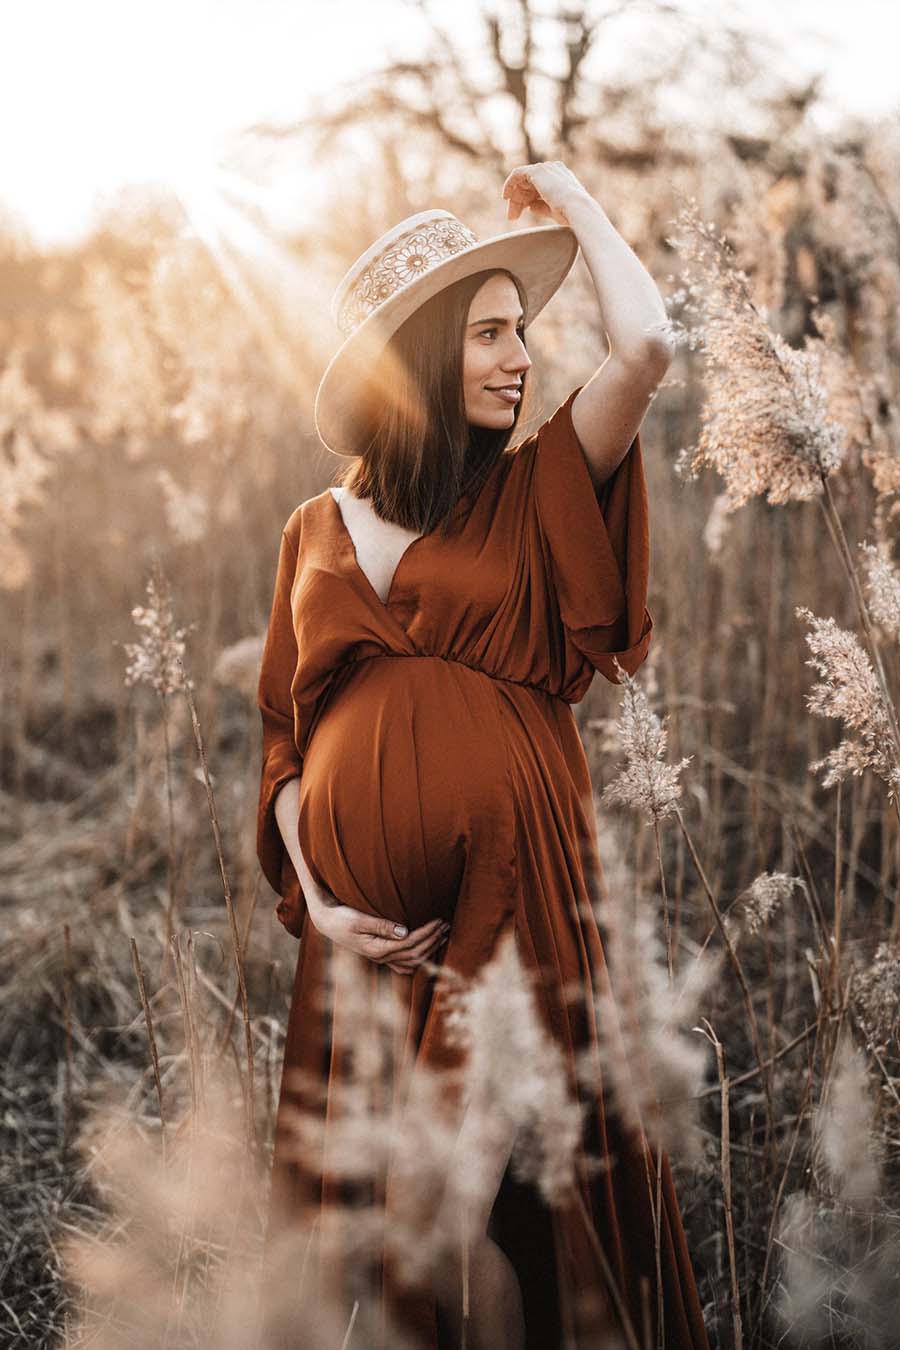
{"points": [[442, 773]]}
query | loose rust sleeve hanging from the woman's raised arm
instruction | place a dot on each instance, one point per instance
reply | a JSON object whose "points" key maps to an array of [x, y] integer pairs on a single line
{"points": [[600, 546]]}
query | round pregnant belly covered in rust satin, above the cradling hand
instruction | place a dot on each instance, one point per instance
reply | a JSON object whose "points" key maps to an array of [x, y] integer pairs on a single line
{"points": [[404, 776]]}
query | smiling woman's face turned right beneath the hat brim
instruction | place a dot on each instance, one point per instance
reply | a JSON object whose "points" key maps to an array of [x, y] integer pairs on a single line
{"points": [[495, 354]]}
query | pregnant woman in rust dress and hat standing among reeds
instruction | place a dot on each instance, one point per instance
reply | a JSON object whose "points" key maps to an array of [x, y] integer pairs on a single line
{"points": [[424, 786]]}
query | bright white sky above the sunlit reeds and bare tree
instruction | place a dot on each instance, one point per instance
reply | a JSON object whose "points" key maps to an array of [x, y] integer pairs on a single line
{"points": [[103, 94]]}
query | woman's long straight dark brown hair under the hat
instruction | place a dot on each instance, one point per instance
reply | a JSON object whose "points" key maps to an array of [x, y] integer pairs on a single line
{"points": [[420, 453]]}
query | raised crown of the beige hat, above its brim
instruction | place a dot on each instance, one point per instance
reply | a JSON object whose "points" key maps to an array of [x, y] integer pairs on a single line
{"points": [[397, 260]]}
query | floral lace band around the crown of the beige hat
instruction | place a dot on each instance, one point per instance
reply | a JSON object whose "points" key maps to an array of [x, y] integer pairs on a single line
{"points": [[400, 264]]}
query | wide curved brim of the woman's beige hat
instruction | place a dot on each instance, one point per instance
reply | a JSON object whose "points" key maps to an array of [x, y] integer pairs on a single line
{"points": [[540, 257]]}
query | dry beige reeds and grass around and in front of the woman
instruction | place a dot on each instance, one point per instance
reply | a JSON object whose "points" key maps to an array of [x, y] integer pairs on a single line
{"points": [[752, 935]]}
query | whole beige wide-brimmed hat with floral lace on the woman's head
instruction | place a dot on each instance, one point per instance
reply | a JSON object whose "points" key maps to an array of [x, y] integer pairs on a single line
{"points": [[399, 273]]}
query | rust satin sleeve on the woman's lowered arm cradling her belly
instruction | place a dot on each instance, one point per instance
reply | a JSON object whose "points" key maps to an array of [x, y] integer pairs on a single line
{"points": [[281, 759]]}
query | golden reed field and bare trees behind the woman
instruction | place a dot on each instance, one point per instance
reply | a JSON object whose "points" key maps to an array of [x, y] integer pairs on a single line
{"points": [[156, 407]]}
